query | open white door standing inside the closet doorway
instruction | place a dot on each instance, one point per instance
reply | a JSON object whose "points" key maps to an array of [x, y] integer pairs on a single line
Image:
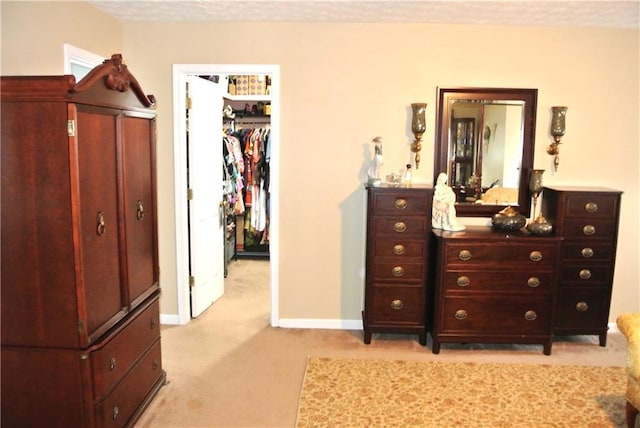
{"points": [[206, 215]]}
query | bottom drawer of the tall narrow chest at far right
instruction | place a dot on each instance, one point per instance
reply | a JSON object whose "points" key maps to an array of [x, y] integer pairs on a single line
{"points": [[579, 307]]}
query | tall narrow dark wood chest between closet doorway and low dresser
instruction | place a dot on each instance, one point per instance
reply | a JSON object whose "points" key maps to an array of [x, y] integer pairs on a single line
{"points": [[398, 236]]}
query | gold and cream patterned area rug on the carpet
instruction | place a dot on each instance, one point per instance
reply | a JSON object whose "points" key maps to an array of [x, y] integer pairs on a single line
{"points": [[382, 393]]}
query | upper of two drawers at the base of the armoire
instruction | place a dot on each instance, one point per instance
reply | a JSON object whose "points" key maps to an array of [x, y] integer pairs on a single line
{"points": [[110, 362]]}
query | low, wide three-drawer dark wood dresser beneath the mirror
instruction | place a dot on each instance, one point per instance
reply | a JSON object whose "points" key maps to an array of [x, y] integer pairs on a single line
{"points": [[494, 287]]}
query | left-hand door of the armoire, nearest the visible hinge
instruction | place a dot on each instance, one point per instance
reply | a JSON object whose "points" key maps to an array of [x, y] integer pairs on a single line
{"points": [[97, 198]]}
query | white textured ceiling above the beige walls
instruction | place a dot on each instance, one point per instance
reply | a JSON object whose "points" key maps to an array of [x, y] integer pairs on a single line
{"points": [[601, 13]]}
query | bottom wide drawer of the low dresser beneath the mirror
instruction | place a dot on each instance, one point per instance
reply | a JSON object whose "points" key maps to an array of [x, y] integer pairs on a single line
{"points": [[489, 315]]}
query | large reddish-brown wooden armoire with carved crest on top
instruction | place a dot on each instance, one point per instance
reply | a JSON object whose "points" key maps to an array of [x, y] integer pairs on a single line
{"points": [[80, 280]]}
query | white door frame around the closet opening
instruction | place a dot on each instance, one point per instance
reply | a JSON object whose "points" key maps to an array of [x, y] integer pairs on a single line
{"points": [[180, 71]]}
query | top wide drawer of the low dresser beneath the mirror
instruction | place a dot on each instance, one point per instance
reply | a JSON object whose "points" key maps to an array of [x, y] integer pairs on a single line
{"points": [[500, 254]]}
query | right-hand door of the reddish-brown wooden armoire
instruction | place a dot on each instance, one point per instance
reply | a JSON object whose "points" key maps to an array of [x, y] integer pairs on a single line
{"points": [[141, 256]]}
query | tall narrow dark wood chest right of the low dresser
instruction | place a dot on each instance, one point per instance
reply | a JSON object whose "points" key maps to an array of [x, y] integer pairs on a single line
{"points": [[587, 219]]}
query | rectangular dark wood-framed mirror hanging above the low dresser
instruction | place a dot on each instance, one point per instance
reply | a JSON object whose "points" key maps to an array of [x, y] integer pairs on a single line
{"points": [[485, 145]]}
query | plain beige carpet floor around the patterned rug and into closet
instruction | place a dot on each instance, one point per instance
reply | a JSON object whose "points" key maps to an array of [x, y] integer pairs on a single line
{"points": [[229, 368]]}
